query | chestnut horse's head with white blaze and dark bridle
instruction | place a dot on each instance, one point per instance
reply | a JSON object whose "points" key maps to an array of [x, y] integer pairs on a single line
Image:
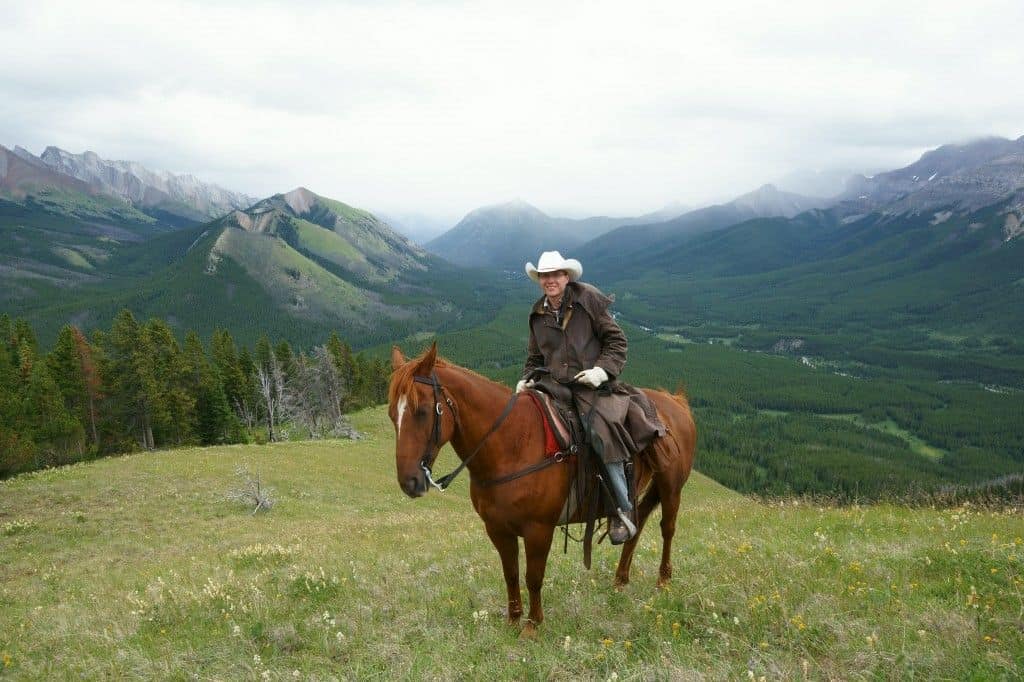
{"points": [[421, 412]]}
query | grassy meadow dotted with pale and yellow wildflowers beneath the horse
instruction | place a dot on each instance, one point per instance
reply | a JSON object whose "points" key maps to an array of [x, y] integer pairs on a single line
{"points": [[140, 567]]}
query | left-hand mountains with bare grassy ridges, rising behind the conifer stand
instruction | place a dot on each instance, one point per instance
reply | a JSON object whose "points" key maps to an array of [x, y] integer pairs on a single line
{"points": [[86, 238]]}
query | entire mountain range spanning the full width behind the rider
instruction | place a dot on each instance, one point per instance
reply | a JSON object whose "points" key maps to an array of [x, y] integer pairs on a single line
{"points": [[933, 246]]}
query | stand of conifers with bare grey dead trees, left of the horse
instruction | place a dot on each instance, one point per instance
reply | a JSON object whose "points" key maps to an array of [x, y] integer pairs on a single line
{"points": [[135, 387]]}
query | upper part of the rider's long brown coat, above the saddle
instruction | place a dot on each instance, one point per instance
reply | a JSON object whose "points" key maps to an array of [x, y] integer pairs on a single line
{"points": [[586, 336]]}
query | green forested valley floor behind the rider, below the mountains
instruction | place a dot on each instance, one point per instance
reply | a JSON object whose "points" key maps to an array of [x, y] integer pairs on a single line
{"points": [[784, 423]]}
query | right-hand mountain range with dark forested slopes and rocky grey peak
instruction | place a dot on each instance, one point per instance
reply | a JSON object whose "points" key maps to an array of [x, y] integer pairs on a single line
{"points": [[913, 254]]}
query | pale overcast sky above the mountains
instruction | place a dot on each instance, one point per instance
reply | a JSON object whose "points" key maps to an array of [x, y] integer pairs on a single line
{"points": [[579, 108]]}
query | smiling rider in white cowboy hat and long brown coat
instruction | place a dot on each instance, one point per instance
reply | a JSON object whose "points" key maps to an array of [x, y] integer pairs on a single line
{"points": [[575, 344]]}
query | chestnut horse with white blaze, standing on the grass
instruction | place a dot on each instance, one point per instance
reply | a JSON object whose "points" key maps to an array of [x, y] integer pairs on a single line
{"points": [[433, 402]]}
